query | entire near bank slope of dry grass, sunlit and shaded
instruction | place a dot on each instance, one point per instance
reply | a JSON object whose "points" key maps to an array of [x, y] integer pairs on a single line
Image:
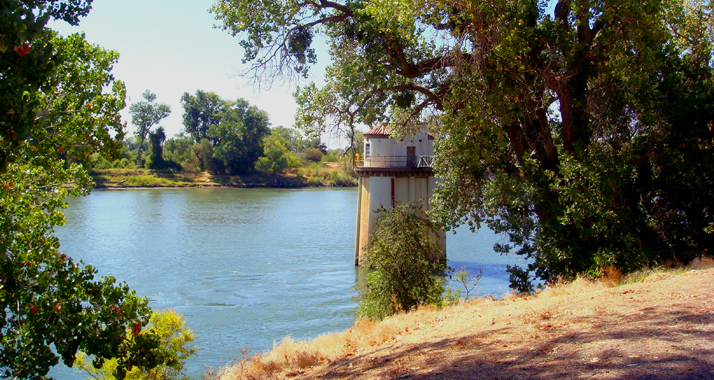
{"points": [[654, 324]]}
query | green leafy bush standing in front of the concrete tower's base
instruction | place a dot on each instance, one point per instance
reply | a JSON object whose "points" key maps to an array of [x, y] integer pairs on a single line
{"points": [[403, 253]]}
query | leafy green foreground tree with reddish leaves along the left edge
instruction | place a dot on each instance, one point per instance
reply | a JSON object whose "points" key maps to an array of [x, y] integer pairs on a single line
{"points": [[51, 306]]}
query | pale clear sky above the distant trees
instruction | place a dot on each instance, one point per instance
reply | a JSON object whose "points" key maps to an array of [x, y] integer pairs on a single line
{"points": [[171, 47]]}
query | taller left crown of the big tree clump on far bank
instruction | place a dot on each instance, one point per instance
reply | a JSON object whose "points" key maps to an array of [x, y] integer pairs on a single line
{"points": [[201, 111]]}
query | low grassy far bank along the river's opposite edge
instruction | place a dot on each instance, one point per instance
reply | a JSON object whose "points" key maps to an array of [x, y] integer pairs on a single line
{"points": [[135, 178]]}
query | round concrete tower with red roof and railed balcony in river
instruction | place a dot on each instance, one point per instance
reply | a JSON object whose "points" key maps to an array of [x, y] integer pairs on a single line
{"points": [[393, 171]]}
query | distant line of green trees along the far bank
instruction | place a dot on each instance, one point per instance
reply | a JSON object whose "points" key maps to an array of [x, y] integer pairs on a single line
{"points": [[219, 135]]}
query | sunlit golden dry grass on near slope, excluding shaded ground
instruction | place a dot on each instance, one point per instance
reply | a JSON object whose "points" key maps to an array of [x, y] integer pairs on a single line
{"points": [[481, 324]]}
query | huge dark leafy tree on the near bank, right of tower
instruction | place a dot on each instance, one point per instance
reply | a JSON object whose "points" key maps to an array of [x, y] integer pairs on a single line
{"points": [[580, 130]]}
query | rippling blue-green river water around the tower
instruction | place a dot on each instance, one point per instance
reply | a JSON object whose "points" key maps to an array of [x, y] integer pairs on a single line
{"points": [[246, 267]]}
